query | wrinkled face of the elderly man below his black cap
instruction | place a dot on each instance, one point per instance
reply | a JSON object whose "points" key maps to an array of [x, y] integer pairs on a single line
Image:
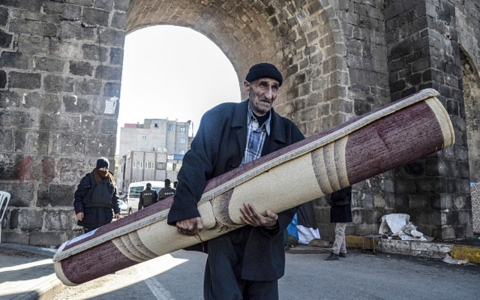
{"points": [[262, 93]]}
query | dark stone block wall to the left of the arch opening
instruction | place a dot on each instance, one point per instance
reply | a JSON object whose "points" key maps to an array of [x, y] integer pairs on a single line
{"points": [[60, 73]]}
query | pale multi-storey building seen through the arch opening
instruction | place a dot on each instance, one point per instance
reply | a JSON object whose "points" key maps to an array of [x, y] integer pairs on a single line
{"points": [[151, 151]]}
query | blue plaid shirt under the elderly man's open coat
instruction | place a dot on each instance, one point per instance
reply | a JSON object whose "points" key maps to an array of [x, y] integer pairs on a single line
{"points": [[255, 137]]}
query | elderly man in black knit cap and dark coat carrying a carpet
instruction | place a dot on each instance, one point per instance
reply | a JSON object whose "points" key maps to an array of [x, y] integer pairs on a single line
{"points": [[245, 263]]}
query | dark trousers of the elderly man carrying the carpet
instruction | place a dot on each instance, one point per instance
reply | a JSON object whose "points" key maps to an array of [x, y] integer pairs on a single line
{"points": [[223, 272]]}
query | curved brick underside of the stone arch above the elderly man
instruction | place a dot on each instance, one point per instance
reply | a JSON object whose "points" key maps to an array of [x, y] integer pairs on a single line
{"points": [[298, 37]]}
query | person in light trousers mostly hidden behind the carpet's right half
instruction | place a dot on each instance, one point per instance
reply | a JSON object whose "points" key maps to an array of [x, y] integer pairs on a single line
{"points": [[340, 214]]}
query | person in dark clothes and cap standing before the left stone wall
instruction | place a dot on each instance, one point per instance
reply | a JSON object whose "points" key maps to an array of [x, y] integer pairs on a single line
{"points": [[95, 198]]}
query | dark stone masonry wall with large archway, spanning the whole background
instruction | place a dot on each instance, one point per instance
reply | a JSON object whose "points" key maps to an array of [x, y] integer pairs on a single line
{"points": [[60, 74]]}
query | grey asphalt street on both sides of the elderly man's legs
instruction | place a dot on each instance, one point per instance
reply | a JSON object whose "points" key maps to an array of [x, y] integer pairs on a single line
{"points": [[308, 276]]}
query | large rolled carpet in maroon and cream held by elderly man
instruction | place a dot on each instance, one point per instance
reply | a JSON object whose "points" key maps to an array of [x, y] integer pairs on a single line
{"points": [[369, 145]]}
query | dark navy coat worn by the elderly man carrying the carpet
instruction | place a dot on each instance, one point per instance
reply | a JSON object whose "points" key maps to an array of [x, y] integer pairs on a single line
{"points": [[219, 147]]}
